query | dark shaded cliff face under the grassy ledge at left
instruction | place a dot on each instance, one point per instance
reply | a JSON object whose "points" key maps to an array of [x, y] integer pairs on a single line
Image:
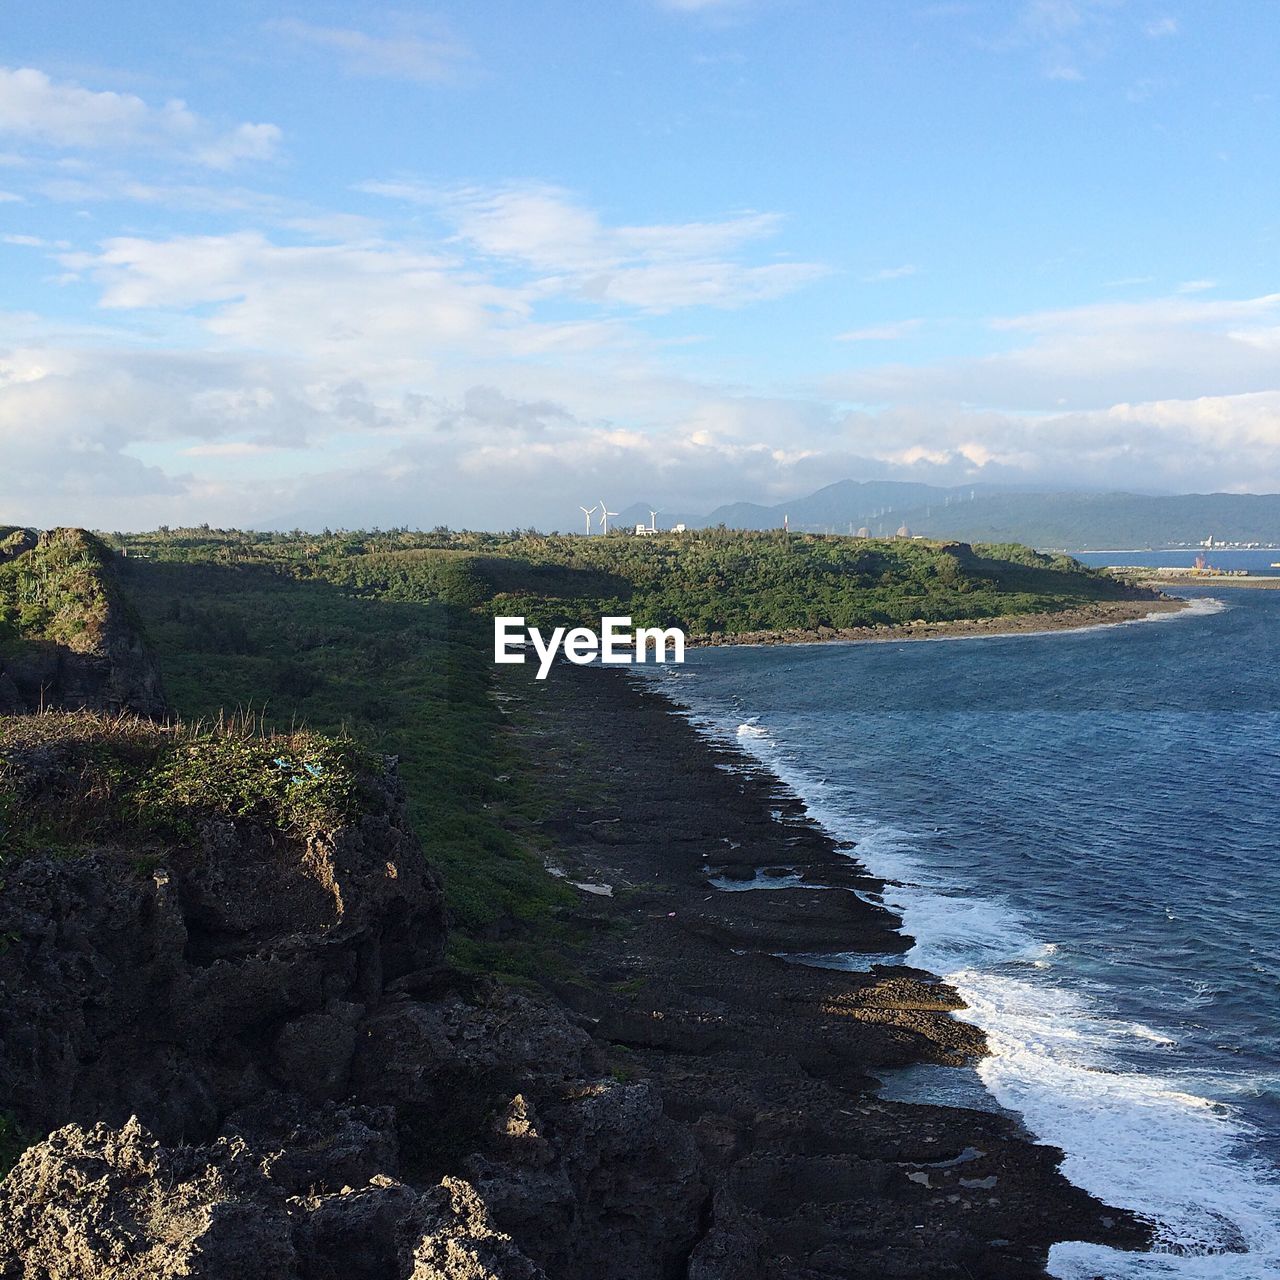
{"points": [[184, 993]]}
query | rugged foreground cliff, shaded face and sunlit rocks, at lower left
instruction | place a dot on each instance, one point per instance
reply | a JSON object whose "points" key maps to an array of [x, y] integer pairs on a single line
{"points": [[253, 1062]]}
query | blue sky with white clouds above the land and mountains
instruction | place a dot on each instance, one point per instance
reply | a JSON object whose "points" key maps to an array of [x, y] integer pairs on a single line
{"points": [[477, 264]]}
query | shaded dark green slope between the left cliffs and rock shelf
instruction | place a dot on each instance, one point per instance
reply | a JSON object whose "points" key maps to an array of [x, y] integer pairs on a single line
{"points": [[408, 679]]}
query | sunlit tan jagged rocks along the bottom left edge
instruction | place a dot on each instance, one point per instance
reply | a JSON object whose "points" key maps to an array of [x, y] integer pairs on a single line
{"points": [[117, 1205]]}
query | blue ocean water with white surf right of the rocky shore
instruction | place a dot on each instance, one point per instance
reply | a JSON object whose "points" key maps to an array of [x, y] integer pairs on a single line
{"points": [[1081, 833]]}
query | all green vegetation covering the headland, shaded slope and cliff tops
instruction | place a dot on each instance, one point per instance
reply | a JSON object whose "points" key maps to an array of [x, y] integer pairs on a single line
{"points": [[385, 639]]}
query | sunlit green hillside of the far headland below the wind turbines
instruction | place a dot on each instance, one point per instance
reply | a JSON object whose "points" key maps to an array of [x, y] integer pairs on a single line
{"points": [[710, 582]]}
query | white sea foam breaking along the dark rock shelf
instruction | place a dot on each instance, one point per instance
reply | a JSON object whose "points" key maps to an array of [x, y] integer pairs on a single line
{"points": [[1133, 1140]]}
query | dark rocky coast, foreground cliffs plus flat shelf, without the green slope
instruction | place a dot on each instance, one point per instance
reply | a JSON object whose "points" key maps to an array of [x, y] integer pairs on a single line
{"points": [[232, 1046]]}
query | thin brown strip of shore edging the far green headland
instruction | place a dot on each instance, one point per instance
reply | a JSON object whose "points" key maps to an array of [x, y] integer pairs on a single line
{"points": [[1100, 614]]}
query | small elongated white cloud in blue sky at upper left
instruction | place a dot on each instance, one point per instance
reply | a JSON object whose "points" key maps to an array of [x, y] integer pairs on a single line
{"points": [[38, 111]]}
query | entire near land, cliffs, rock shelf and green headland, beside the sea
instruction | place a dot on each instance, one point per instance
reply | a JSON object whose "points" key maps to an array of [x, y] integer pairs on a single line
{"points": [[433, 989]]}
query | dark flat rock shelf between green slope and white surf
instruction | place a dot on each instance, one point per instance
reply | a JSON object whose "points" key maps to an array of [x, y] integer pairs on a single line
{"points": [[775, 1066]]}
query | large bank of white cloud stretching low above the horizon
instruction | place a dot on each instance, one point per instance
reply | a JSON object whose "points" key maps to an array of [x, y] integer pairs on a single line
{"points": [[496, 367]]}
